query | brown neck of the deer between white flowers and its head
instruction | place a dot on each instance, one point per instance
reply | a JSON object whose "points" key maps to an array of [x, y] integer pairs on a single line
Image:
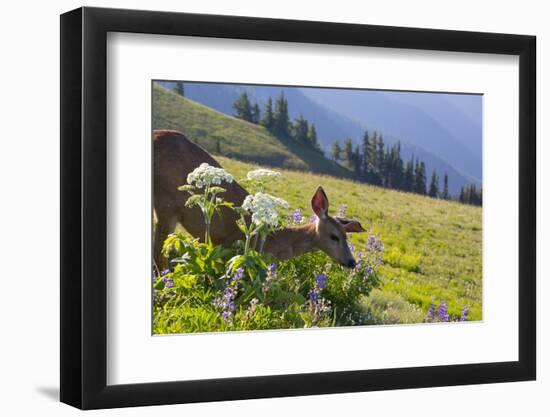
{"points": [[292, 241]]}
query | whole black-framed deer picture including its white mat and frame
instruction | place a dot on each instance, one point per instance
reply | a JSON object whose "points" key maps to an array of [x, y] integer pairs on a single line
{"points": [[257, 208]]}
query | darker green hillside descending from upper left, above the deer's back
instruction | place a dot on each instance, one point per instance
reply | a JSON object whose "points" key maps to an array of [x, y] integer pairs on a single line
{"points": [[228, 136]]}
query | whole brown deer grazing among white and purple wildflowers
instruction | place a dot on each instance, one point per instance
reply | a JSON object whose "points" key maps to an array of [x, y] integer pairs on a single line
{"points": [[175, 156]]}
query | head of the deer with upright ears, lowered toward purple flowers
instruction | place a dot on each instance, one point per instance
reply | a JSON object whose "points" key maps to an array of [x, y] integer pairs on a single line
{"points": [[331, 231]]}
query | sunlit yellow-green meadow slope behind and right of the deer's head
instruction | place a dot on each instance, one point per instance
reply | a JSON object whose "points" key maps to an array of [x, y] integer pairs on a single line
{"points": [[432, 248]]}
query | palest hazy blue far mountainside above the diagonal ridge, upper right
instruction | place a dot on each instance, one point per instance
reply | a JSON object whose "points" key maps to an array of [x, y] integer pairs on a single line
{"points": [[443, 131]]}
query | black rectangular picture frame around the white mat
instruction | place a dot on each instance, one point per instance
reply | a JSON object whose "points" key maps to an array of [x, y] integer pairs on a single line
{"points": [[84, 207]]}
